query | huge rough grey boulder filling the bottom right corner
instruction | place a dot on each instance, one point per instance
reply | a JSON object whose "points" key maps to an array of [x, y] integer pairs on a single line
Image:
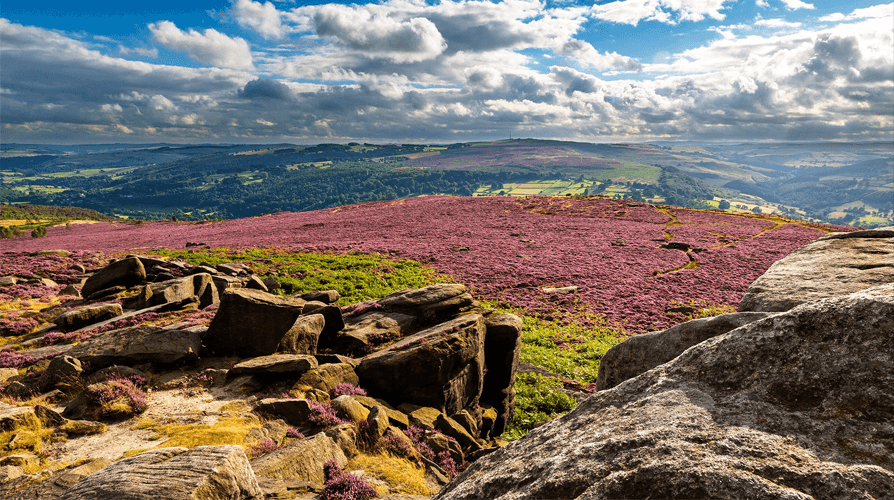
{"points": [[796, 405]]}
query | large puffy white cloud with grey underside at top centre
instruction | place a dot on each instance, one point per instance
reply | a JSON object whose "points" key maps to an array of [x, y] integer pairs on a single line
{"points": [[410, 40]]}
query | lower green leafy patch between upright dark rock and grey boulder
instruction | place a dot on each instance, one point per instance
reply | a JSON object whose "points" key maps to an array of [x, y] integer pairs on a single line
{"points": [[538, 399]]}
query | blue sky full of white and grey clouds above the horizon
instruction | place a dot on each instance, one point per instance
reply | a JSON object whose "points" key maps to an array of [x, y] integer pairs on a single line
{"points": [[245, 71]]}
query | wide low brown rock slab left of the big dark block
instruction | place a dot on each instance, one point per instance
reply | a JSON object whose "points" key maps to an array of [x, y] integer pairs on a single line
{"points": [[138, 344]]}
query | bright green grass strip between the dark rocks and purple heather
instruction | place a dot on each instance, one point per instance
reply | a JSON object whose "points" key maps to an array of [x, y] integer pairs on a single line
{"points": [[356, 276]]}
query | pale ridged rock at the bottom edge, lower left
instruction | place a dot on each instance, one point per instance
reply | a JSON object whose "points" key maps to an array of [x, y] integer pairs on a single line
{"points": [[206, 472]]}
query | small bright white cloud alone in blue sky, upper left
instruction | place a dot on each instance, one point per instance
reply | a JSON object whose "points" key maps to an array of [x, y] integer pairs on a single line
{"points": [[210, 47]]}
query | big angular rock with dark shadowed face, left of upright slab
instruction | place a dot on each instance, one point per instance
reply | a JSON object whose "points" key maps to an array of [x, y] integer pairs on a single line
{"points": [[442, 367]]}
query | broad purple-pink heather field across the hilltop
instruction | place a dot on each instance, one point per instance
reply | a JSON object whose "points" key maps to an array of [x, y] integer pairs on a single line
{"points": [[507, 249]]}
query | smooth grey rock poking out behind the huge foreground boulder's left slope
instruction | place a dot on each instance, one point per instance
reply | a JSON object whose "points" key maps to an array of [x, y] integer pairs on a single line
{"points": [[640, 353]]}
